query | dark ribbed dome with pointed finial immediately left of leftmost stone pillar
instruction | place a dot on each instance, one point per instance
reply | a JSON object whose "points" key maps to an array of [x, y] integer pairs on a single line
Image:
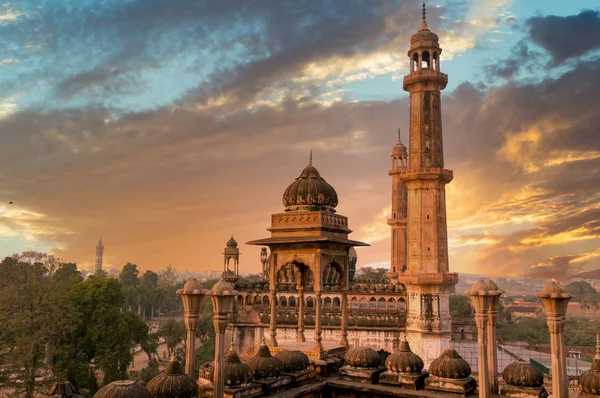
{"points": [[172, 383]]}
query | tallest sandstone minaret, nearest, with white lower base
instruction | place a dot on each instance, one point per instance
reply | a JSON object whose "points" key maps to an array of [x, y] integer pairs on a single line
{"points": [[427, 278]]}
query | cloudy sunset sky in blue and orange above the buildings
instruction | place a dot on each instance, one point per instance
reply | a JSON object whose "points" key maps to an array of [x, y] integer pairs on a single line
{"points": [[166, 126]]}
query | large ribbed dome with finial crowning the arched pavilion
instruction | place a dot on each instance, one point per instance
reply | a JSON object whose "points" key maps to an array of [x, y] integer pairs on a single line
{"points": [[310, 191]]}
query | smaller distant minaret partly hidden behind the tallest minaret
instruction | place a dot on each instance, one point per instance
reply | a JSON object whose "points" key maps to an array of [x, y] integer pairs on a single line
{"points": [[398, 220]]}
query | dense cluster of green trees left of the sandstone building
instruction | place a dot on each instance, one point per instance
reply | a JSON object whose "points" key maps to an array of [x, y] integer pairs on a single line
{"points": [[57, 326]]}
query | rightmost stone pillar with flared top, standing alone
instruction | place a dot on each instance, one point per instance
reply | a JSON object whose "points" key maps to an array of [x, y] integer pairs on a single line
{"points": [[555, 300]]}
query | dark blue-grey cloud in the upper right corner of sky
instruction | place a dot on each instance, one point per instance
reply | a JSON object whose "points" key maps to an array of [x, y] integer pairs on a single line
{"points": [[566, 37]]}
